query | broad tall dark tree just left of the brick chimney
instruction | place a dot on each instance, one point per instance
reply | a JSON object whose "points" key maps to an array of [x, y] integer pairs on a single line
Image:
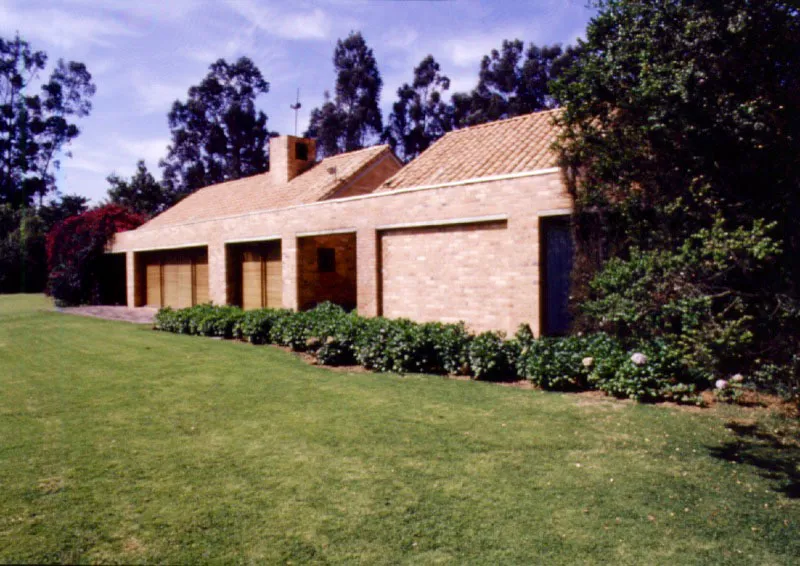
{"points": [[217, 134]]}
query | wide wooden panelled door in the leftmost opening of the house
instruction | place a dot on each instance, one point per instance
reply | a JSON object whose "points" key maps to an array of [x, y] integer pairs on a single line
{"points": [[176, 279]]}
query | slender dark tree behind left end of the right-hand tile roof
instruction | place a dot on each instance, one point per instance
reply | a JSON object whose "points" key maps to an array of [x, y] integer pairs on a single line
{"points": [[420, 116]]}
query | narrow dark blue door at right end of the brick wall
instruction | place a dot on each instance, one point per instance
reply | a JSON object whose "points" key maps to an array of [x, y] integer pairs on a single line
{"points": [[557, 267]]}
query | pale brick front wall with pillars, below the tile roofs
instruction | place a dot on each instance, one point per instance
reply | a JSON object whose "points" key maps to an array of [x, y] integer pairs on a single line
{"points": [[510, 256]]}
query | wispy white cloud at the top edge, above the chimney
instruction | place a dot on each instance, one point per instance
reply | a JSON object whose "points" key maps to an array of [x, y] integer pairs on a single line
{"points": [[314, 24]]}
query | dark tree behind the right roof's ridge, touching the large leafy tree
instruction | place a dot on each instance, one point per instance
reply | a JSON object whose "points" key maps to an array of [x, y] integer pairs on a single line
{"points": [[513, 81]]}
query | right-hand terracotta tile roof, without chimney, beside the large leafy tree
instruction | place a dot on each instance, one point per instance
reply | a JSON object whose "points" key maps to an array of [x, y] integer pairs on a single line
{"points": [[507, 146]]}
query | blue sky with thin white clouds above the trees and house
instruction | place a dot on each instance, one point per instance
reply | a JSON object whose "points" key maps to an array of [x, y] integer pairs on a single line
{"points": [[143, 54]]}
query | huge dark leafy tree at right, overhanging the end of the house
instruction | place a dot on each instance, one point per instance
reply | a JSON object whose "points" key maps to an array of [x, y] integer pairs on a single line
{"points": [[678, 115]]}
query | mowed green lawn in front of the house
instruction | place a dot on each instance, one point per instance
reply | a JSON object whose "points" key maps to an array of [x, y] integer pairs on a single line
{"points": [[121, 444]]}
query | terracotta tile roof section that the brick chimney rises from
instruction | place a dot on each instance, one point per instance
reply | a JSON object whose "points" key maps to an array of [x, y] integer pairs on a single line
{"points": [[259, 192]]}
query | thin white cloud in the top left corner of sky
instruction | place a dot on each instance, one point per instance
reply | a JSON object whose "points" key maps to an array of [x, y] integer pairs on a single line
{"points": [[60, 28]]}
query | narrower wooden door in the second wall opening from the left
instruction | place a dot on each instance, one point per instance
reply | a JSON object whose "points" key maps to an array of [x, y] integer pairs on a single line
{"points": [[261, 276]]}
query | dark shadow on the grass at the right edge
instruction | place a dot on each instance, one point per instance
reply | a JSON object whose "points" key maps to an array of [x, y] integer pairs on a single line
{"points": [[775, 457]]}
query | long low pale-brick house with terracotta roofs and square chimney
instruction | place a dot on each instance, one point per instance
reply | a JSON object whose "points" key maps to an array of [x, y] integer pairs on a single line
{"points": [[474, 229]]}
